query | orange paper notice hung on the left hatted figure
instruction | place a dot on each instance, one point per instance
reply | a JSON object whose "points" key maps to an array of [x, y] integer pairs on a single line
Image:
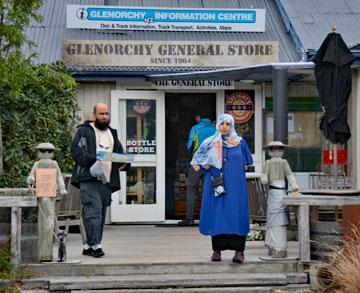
{"points": [[46, 182]]}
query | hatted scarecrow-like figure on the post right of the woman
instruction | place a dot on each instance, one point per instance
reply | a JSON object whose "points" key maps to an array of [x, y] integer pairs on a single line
{"points": [[275, 173]]}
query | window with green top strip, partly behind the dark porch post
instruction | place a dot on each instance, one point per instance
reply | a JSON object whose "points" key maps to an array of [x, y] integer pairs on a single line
{"points": [[304, 154]]}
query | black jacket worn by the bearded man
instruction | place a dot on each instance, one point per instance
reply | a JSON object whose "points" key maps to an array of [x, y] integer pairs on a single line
{"points": [[83, 151]]}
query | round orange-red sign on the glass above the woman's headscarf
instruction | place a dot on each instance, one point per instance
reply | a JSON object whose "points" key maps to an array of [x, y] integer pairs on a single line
{"points": [[240, 105]]}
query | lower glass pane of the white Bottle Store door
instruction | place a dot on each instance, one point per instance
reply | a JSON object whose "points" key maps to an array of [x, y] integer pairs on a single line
{"points": [[140, 186]]}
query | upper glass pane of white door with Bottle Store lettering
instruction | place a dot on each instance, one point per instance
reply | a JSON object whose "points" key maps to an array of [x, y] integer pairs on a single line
{"points": [[141, 127]]}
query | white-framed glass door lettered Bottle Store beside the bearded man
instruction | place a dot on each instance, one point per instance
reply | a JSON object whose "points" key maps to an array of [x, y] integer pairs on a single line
{"points": [[139, 117]]}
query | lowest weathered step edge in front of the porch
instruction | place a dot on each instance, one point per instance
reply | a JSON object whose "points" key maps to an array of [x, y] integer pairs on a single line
{"points": [[163, 281]]}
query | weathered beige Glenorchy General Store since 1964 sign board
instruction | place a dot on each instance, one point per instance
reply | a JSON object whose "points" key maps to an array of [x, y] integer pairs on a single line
{"points": [[168, 54]]}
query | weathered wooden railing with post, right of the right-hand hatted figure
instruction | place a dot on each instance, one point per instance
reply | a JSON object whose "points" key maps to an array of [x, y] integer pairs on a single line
{"points": [[303, 202]]}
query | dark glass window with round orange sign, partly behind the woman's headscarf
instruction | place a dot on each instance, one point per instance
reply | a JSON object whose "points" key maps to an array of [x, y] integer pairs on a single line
{"points": [[241, 105]]}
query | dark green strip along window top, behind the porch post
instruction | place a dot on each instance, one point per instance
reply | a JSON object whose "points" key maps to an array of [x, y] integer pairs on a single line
{"points": [[297, 103]]}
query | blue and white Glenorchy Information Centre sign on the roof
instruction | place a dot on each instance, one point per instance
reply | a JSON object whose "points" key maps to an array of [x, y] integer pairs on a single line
{"points": [[165, 19]]}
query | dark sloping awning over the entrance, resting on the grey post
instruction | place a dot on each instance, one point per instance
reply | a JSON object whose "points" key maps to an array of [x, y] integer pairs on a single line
{"points": [[256, 73]]}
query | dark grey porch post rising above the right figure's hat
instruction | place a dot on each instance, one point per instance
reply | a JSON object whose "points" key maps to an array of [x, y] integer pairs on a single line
{"points": [[280, 104]]}
